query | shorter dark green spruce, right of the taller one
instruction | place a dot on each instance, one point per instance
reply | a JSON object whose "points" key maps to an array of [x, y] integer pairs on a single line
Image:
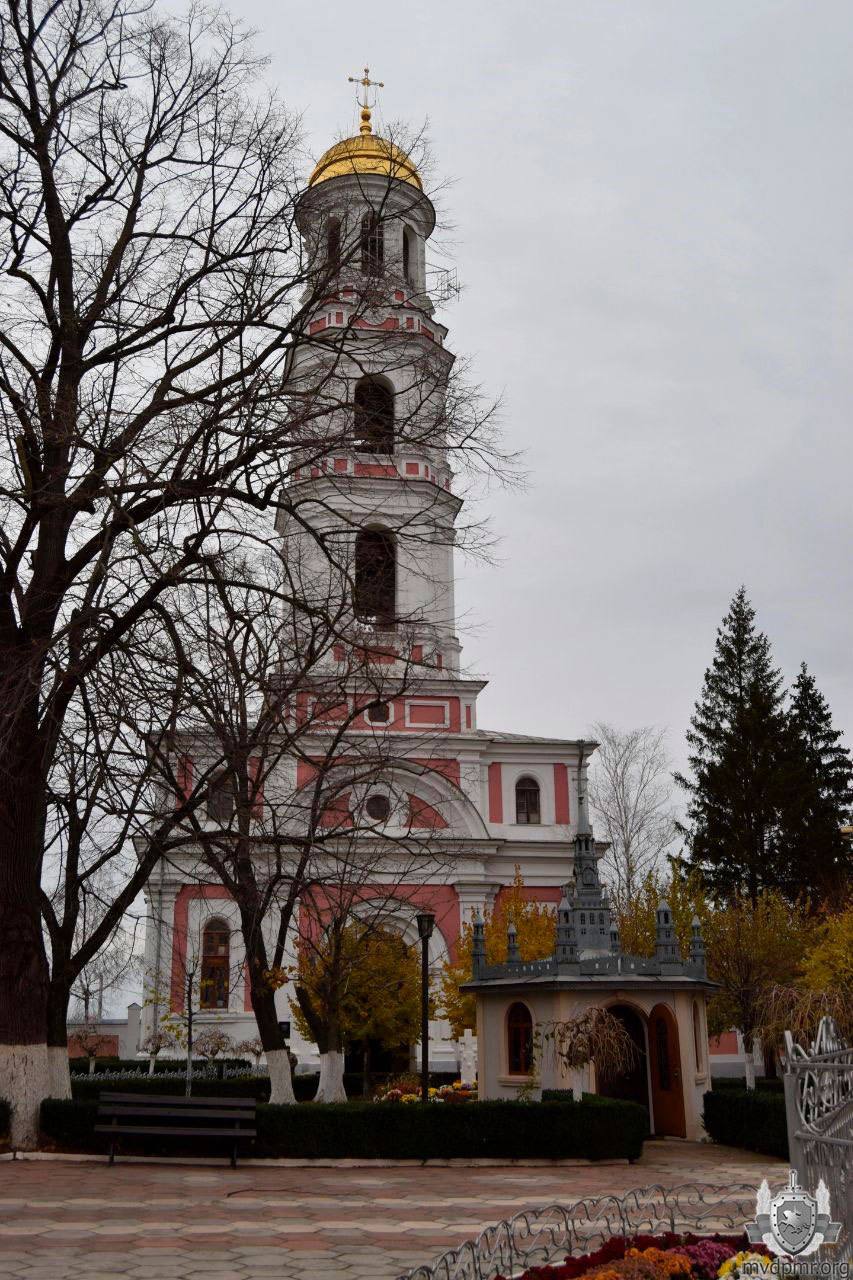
{"points": [[819, 799]]}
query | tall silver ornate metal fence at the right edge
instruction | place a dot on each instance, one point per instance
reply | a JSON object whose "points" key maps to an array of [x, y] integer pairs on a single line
{"points": [[819, 1108]]}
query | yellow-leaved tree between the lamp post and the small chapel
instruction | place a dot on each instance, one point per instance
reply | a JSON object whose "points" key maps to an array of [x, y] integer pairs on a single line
{"points": [[536, 926]]}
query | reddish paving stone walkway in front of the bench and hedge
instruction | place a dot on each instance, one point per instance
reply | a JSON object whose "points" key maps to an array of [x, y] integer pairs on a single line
{"points": [[158, 1222]]}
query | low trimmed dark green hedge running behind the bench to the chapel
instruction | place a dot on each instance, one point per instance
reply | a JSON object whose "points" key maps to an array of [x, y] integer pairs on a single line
{"points": [[507, 1131]]}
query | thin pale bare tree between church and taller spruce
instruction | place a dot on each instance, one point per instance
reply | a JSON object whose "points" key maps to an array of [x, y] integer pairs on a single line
{"points": [[631, 798]]}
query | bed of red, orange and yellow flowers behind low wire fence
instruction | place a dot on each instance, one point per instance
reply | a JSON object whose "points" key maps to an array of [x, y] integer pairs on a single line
{"points": [[662, 1258]]}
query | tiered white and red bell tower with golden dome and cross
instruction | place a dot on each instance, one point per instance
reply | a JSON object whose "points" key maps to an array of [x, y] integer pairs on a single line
{"points": [[377, 482]]}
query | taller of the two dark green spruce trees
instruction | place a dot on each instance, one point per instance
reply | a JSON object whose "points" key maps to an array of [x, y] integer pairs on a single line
{"points": [[737, 779]]}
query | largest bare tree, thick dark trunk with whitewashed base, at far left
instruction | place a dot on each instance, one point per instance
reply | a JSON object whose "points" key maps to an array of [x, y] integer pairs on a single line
{"points": [[158, 385]]}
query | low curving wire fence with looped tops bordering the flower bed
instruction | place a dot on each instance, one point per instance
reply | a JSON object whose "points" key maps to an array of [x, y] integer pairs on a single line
{"points": [[549, 1235]]}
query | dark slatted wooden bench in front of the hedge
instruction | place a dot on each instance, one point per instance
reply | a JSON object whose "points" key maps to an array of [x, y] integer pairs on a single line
{"points": [[176, 1117]]}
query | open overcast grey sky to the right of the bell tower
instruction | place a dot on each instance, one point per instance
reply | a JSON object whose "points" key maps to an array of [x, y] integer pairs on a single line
{"points": [[653, 208]]}
